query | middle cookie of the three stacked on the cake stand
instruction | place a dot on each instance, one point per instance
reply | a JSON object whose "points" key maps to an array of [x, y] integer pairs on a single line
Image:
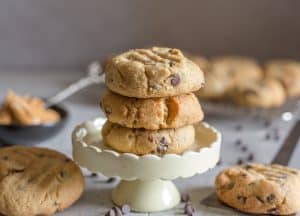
{"points": [[152, 113]]}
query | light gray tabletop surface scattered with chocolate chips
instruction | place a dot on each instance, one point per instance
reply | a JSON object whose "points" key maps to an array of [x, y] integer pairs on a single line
{"points": [[96, 198]]}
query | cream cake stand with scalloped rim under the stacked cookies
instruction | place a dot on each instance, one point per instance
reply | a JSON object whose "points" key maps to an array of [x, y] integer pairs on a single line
{"points": [[146, 180]]}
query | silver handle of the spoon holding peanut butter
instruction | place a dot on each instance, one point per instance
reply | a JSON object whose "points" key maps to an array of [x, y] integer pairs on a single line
{"points": [[94, 76]]}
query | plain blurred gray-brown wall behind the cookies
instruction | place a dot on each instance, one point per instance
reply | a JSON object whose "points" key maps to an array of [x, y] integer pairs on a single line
{"points": [[67, 34]]}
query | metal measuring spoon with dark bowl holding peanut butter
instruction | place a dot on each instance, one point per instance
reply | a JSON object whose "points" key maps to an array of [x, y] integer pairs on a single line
{"points": [[33, 134]]}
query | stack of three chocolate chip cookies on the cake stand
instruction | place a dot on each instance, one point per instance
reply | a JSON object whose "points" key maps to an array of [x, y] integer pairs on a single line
{"points": [[149, 103]]}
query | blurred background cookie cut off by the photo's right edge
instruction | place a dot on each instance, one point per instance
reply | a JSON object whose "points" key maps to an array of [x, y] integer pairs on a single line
{"points": [[288, 73]]}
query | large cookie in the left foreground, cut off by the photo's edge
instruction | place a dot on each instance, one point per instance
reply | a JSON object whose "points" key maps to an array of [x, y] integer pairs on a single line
{"points": [[37, 181]]}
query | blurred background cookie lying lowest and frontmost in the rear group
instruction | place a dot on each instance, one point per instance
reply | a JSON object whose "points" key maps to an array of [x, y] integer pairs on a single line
{"points": [[266, 93]]}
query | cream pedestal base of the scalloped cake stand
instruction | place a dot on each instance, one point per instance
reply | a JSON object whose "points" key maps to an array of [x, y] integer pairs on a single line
{"points": [[146, 196]]}
